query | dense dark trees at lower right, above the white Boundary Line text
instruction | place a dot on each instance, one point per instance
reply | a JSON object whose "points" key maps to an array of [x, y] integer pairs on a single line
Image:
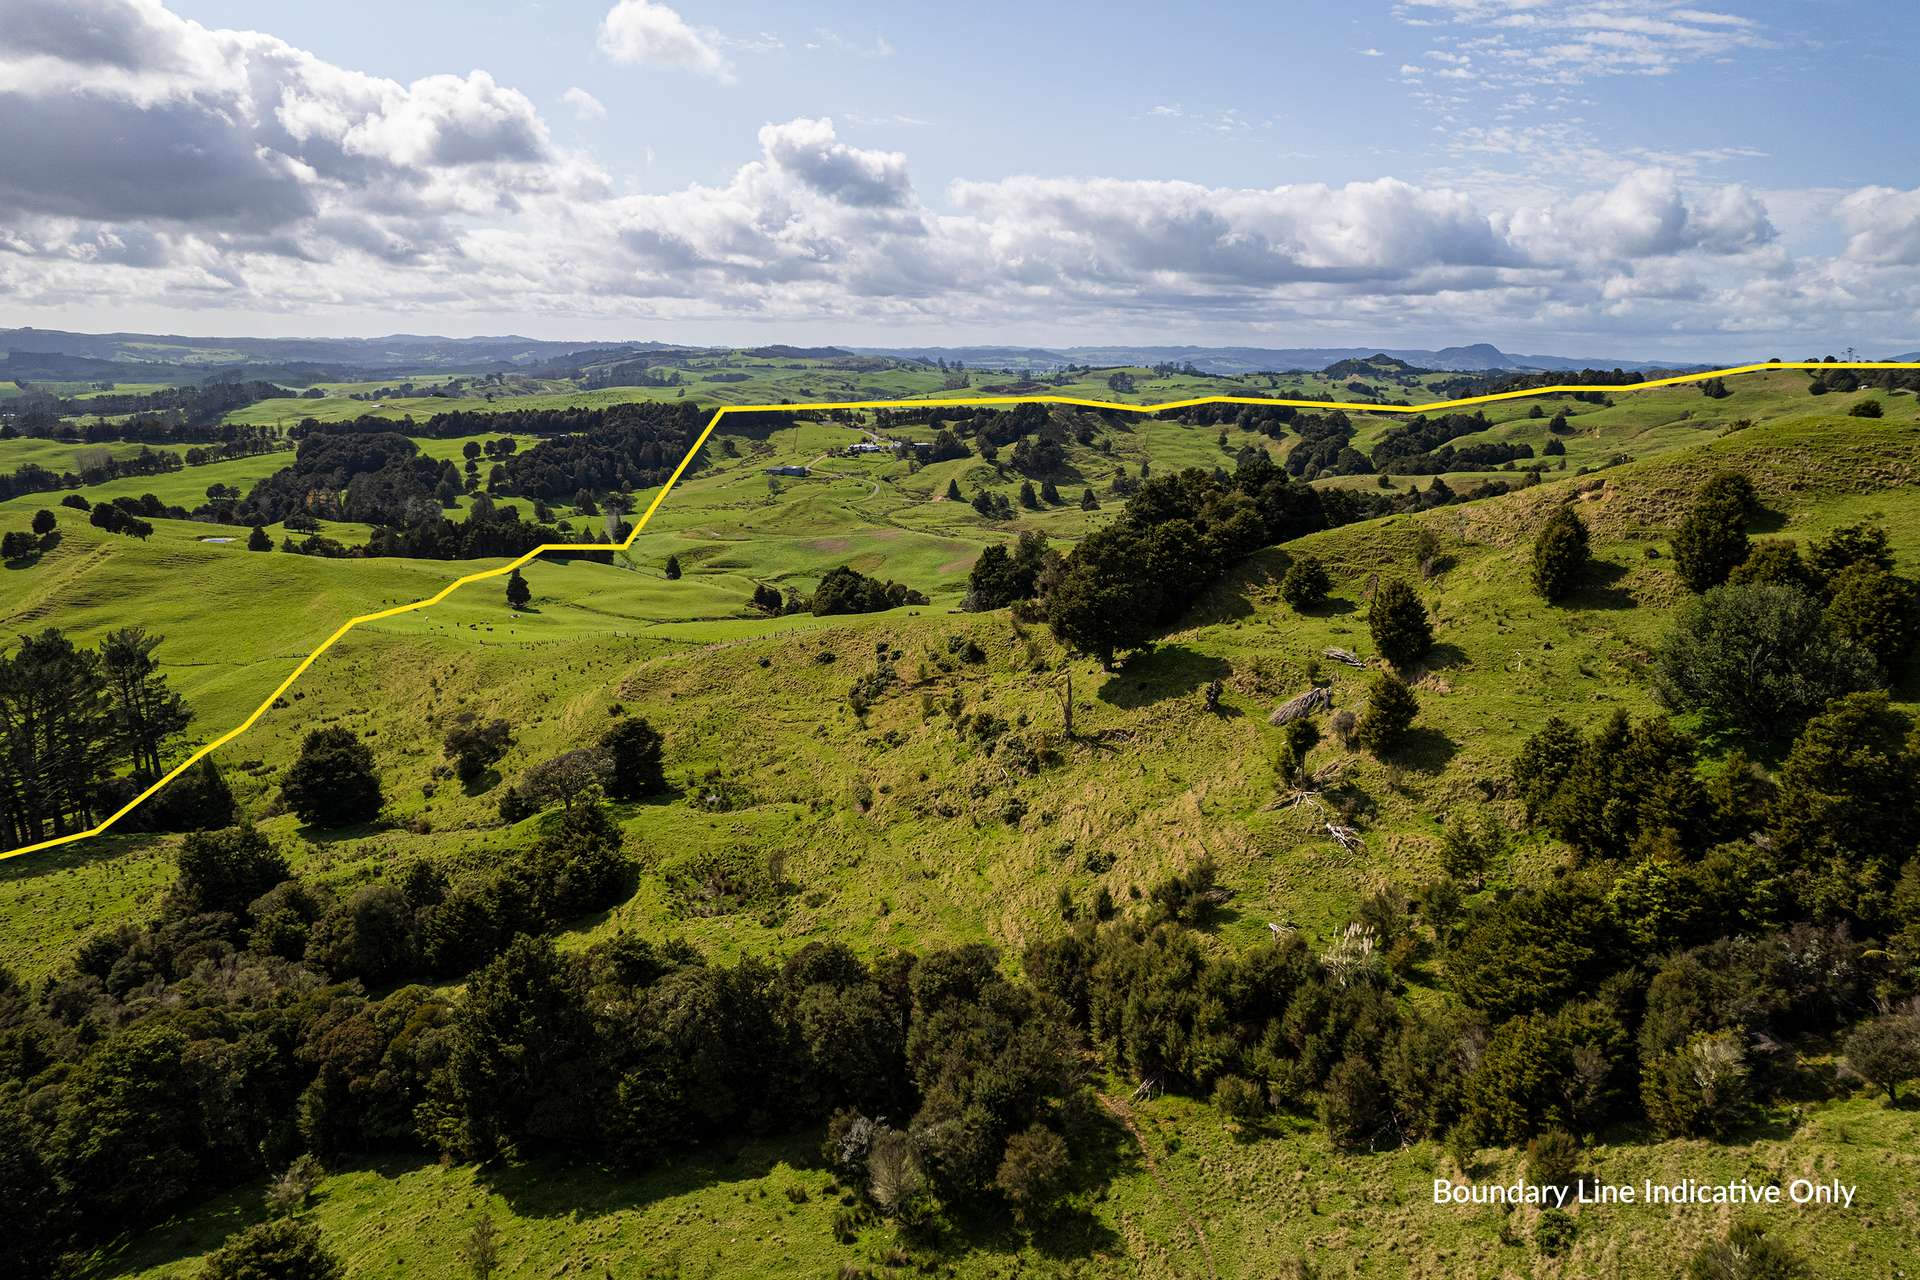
{"points": [[1714, 930]]}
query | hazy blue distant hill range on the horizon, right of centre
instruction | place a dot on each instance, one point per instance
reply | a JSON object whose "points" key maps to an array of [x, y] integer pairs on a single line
{"points": [[1476, 358]]}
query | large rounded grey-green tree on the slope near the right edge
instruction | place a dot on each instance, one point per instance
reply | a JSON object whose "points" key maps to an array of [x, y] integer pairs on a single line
{"points": [[1760, 659]]}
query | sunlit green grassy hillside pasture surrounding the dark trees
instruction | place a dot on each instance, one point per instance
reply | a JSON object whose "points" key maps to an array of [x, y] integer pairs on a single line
{"points": [[796, 817]]}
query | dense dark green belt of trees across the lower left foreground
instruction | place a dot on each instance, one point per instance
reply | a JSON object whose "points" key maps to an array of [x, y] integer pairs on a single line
{"points": [[237, 1031]]}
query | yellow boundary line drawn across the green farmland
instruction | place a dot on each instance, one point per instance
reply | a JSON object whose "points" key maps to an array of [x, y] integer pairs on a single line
{"points": [[723, 412]]}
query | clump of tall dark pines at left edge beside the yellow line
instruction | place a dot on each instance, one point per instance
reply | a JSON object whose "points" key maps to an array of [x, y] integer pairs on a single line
{"points": [[72, 719]]}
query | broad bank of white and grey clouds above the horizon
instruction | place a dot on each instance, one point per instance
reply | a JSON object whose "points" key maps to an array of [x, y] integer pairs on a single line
{"points": [[155, 162]]}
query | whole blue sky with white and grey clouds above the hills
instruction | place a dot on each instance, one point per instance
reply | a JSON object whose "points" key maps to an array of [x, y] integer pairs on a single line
{"points": [[1587, 178]]}
